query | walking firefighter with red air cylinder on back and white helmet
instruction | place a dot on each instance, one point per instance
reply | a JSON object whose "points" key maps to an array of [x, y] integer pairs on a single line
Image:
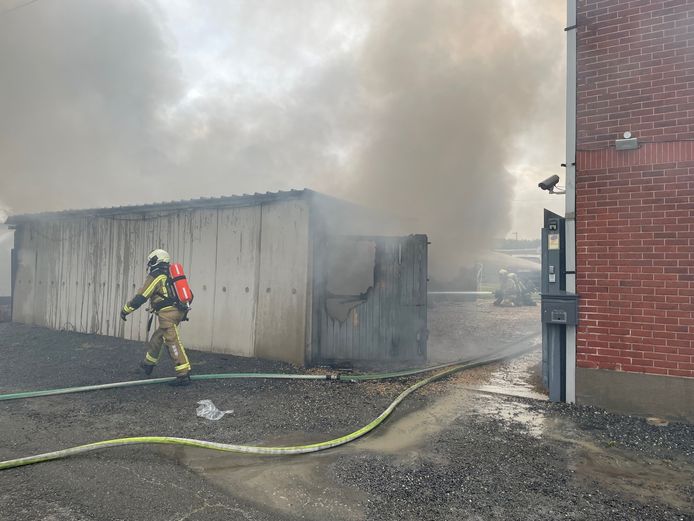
{"points": [[169, 295]]}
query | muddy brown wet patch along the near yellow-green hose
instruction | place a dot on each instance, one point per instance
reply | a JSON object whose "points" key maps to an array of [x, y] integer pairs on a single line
{"points": [[303, 485]]}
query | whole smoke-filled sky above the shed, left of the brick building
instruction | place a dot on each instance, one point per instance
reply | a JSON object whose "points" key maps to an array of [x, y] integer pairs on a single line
{"points": [[444, 112]]}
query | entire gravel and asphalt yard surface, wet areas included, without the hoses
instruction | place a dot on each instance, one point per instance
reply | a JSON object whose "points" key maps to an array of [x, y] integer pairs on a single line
{"points": [[447, 453]]}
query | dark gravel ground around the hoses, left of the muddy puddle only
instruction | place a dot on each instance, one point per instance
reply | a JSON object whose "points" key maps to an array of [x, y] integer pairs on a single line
{"points": [[138, 482]]}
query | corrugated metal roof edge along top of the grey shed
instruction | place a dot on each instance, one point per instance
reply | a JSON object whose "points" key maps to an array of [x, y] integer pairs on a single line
{"points": [[202, 202]]}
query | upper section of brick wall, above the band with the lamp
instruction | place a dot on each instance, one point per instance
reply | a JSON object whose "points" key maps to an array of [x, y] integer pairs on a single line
{"points": [[635, 70]]}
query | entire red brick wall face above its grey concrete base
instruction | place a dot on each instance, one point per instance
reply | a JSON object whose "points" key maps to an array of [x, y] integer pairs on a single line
{"points": [[635, 209]]}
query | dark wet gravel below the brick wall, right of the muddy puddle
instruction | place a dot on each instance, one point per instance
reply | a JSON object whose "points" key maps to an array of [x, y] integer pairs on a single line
{"points": [[496, 463]]}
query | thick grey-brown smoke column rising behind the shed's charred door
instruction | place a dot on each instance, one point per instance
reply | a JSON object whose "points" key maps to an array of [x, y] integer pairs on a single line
{"points": [[451, 87]]}
